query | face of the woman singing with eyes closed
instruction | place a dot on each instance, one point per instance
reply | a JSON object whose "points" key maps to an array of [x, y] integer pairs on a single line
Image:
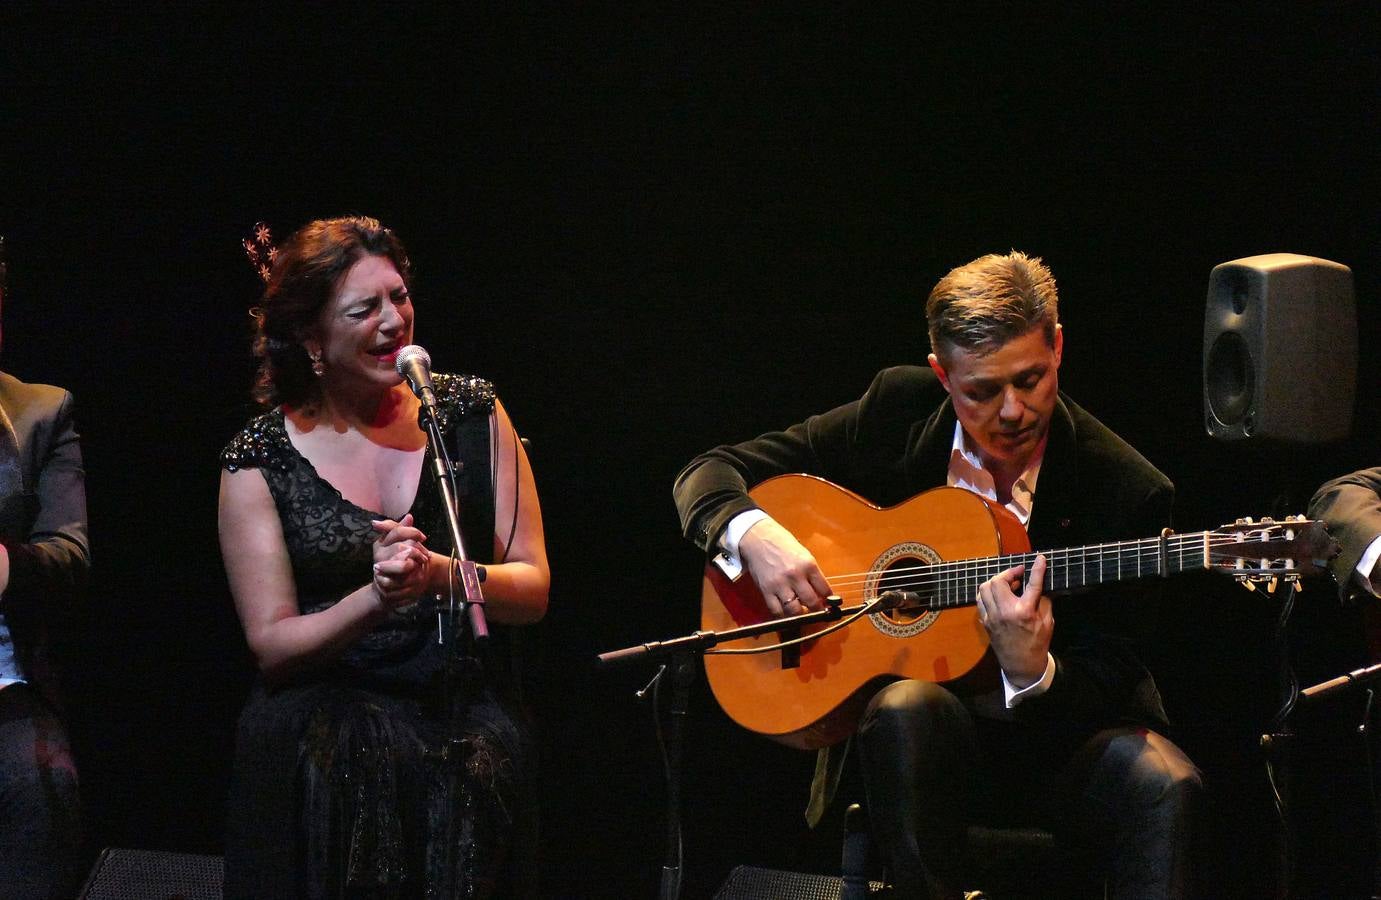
{"points": [[368, 321]]}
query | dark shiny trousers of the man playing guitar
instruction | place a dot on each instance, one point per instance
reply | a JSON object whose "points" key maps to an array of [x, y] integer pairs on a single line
{"points": [[933, 768]]}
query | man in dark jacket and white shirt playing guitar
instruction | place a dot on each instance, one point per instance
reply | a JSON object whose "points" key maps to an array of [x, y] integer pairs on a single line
{"points": [[1070, 738]]}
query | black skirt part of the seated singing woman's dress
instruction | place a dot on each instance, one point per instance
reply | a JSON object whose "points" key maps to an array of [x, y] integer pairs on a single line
{"points": [[345, 789]]}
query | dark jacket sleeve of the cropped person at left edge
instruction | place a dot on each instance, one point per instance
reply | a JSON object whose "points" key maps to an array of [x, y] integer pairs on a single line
{"points": [[55, 560]]}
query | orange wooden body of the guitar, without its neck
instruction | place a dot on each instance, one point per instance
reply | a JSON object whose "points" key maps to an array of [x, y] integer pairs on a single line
{"points": [[814, 695]]}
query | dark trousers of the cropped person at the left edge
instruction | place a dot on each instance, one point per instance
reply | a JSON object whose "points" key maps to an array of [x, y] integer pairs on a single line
{"points": [[41, 833]]}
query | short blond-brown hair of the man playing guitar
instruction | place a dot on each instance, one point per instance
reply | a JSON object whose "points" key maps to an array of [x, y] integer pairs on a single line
{"points": [[981, 306]]}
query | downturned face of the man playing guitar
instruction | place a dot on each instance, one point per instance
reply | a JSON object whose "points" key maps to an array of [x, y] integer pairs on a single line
{"points": [[1005, 398]]}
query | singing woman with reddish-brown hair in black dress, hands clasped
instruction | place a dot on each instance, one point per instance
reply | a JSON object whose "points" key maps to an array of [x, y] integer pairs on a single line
{"points": [[363, 770]]}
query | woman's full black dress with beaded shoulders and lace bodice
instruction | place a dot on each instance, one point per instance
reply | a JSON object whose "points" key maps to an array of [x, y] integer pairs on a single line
{"points": [[379, 776]]}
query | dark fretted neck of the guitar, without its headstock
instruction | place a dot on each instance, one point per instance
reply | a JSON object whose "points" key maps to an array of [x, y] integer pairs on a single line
{"points": [[954, 585]]}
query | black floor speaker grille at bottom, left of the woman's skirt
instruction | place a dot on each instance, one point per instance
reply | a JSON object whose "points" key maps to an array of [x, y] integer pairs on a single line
{"points": [[122, 874]]}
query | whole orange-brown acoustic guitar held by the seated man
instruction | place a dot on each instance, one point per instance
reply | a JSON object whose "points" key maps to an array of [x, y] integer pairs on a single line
{"points": [[938, 547]]}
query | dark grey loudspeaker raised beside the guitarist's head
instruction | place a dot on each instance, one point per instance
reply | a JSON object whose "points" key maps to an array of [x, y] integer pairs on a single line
{"points": [[1281, 350]]}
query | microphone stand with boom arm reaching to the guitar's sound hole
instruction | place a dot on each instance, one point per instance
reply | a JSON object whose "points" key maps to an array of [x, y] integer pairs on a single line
{"points": [[683, 652]]}
